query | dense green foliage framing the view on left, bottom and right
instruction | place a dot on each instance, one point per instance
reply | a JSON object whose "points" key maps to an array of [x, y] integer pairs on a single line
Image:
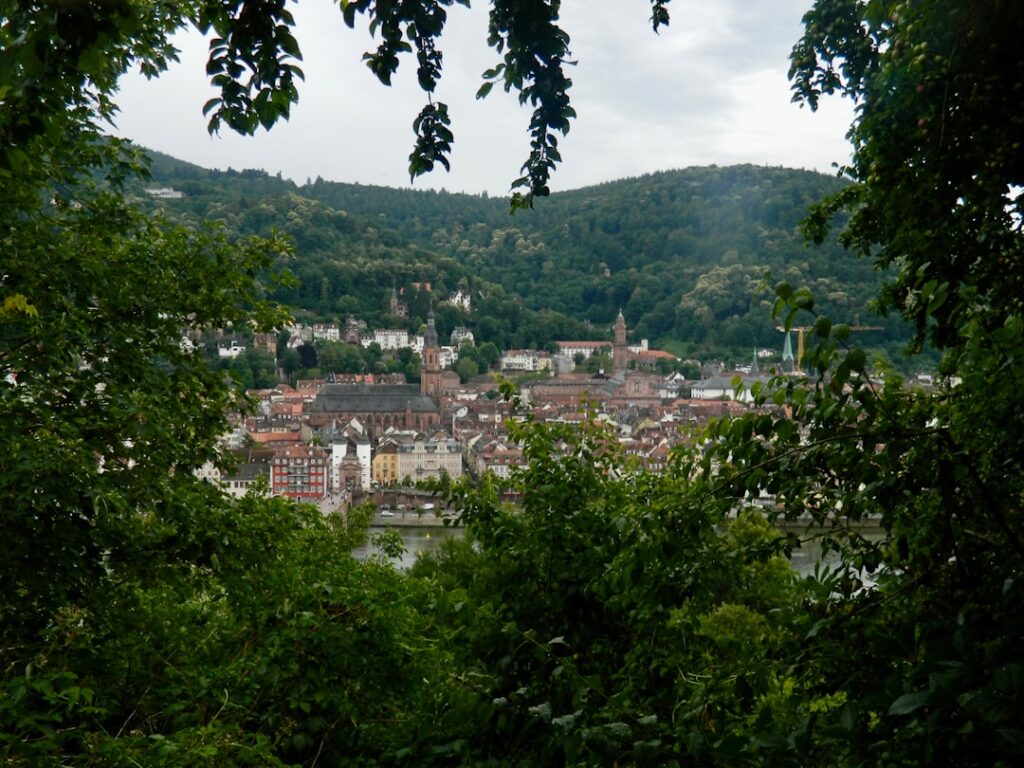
{"points": [[615, 617]]}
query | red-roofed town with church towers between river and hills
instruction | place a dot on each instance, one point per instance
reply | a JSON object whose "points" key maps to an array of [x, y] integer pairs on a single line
{"points": [[343, 439]]}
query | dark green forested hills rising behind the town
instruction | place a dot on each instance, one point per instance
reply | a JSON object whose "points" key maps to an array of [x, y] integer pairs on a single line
{"points": [[681, 252]]}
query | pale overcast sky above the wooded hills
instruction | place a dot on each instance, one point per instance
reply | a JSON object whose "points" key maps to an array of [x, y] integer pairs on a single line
{"points": [[710, 90]]}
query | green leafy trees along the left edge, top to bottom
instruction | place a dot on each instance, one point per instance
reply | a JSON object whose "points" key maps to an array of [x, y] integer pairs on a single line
{"points": [[140, 606]]}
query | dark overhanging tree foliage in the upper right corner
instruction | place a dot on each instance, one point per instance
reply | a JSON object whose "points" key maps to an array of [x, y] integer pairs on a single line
{"points": [[937, 163]]}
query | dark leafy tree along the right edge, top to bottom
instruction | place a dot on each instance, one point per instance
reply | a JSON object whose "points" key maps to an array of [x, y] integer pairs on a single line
{"points": [[935, 174]]}
